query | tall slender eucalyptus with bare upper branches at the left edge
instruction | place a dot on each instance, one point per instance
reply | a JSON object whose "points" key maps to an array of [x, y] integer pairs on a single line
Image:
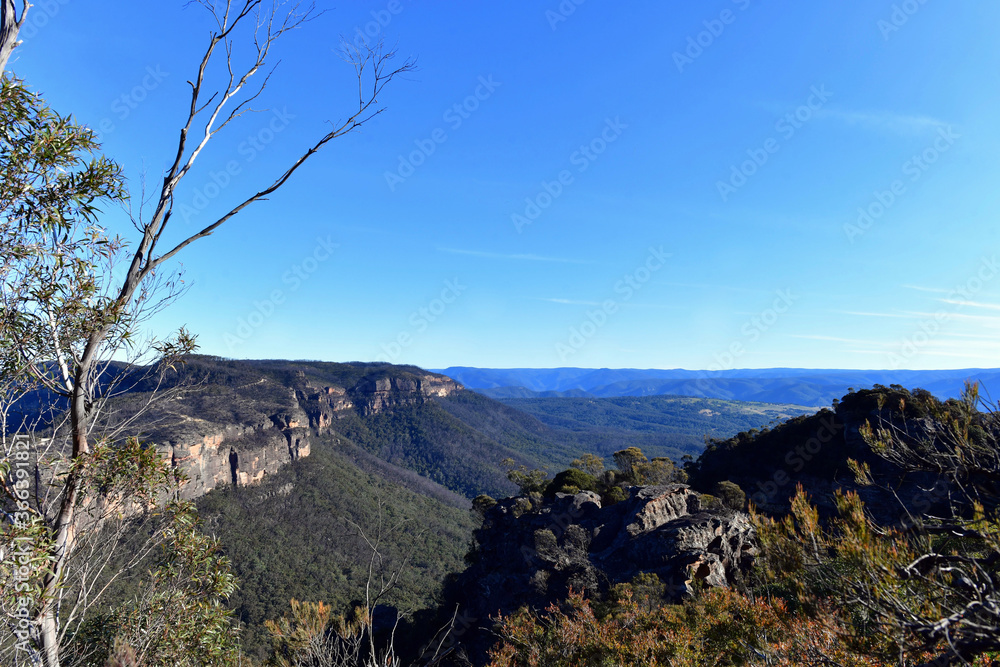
{"points": [[74, 297]]}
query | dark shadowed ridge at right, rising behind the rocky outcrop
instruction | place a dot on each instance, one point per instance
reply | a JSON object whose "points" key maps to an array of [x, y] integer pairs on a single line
{"points": [[814, 451]]}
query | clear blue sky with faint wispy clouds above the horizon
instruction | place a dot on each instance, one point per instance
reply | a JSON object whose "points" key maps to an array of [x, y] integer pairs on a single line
{"points": [[655, 243]]}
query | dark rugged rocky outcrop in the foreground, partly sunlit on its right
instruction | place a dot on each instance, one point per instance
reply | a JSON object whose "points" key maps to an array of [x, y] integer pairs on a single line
{"points": [[532, 555]]}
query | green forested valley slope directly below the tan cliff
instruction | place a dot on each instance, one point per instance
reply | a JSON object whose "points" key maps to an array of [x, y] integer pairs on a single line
{"points": [[301, 535]]}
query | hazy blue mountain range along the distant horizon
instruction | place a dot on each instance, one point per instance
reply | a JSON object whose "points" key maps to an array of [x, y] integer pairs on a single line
{"points": [[800, 386]]}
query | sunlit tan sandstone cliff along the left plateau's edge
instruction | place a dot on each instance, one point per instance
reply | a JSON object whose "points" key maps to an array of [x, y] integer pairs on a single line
{"points": [[220, 436]]}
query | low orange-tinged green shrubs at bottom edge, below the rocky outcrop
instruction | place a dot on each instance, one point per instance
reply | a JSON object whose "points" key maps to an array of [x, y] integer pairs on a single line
{"points": [[719, 627]]}
